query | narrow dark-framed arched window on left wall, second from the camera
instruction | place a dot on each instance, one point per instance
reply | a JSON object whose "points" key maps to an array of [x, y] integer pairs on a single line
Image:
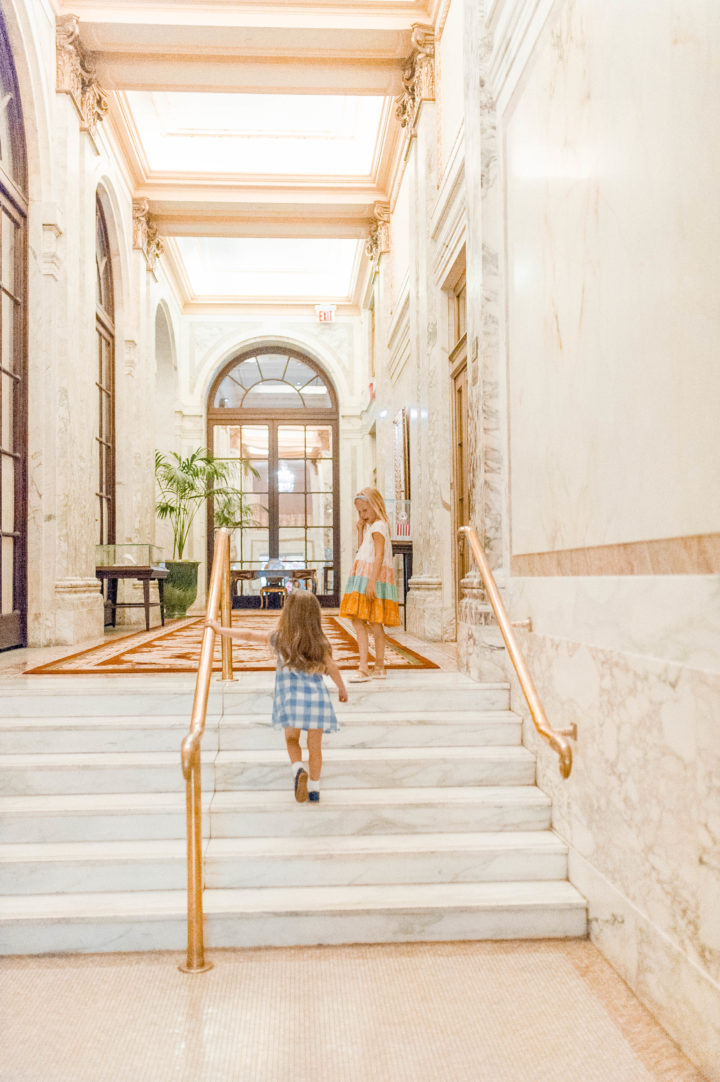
{"points": [[106, 384]]}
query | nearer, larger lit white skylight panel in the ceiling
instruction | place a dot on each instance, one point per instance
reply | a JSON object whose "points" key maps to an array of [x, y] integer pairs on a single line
{"points": [[306, 135]]}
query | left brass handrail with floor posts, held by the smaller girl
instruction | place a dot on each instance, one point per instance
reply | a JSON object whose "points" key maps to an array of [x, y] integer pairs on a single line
{"points": [[219, 604]]}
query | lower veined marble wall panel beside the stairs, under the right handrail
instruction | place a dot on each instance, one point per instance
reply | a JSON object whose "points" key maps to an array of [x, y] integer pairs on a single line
{"points": [[642, 812]]}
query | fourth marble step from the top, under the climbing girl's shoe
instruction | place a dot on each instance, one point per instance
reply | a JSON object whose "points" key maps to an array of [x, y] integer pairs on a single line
{"points": [[90, 817]]}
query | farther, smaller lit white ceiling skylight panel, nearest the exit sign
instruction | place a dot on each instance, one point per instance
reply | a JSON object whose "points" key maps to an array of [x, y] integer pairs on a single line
{"points": [[298, 269]]}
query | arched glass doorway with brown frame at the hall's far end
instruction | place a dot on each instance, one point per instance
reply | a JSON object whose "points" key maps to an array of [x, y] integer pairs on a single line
{"points": [[277, 410]]}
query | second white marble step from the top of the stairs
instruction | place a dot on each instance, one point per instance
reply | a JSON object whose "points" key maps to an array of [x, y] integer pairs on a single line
{"points": [[364, 729]]}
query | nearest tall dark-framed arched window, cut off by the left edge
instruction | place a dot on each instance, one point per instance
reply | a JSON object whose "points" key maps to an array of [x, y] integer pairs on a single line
{"points": [[14, 354]]}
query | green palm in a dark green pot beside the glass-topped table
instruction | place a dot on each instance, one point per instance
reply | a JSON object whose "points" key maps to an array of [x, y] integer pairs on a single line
{"points": [[185, 484]]}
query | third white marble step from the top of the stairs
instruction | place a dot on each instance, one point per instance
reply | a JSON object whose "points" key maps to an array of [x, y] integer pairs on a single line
{"points": [[161, 772]]}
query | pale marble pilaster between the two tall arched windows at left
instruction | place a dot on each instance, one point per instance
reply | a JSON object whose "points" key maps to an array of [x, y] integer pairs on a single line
{"points": [[66, 605]]}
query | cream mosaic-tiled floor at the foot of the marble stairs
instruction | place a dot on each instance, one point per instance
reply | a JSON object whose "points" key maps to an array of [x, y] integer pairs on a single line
{"points": [[483, 1012]]}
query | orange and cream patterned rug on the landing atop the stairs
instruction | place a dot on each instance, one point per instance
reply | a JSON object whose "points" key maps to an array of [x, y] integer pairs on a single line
{"points": [[176, 649]]}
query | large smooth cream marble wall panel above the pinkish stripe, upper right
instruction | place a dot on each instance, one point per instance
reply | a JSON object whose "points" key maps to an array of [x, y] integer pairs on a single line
{"points": [[612, 263]]}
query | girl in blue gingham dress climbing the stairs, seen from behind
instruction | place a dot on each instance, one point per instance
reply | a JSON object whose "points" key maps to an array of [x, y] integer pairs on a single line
{"points": [[302, 701]]}
